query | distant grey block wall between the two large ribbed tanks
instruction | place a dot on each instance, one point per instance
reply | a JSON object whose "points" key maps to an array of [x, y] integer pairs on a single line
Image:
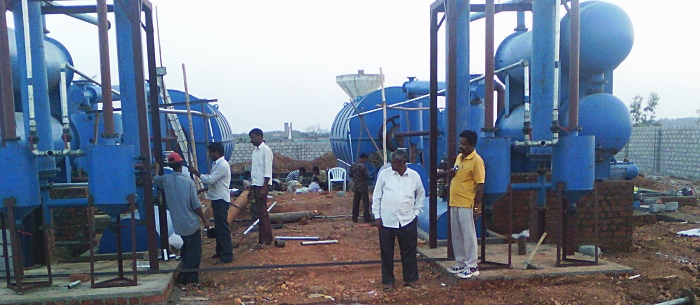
{"points": [[296, 150]]}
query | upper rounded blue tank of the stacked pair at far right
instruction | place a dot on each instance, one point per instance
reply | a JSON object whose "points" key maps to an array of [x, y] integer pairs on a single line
{"points": [[607, 36]]}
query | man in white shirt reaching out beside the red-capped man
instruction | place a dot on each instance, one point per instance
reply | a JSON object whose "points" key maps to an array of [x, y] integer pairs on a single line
{"points": [[218, 181]]}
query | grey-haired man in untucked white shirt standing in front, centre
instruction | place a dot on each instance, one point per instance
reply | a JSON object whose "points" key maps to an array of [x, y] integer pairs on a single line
{"points": [[396, 203]]}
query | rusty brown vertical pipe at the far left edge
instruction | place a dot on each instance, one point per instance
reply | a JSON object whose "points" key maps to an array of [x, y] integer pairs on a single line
{"points": [[7, 98]]}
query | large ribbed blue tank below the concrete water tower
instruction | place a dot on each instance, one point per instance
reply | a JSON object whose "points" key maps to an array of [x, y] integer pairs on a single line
{"points": [[347, 132]]}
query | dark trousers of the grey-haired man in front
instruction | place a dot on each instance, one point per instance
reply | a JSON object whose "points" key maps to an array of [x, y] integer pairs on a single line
{"points": [[408, 241]]}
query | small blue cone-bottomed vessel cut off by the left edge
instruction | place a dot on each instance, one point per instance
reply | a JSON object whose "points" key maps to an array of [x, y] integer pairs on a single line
{"points": [[23, 185]]}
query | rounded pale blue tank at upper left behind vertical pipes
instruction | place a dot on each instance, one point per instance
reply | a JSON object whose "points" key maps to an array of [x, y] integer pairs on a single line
{"points": [[56, 55]]}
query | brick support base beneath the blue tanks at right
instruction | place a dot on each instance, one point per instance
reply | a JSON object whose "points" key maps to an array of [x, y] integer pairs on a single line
{"points": [[615, 214]]}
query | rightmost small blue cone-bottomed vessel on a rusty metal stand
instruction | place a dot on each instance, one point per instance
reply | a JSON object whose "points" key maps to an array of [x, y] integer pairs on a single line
{"points": [[573, 164]]}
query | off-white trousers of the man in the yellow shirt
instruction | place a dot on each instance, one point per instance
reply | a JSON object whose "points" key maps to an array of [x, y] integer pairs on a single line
{"points": [[464, 241]]}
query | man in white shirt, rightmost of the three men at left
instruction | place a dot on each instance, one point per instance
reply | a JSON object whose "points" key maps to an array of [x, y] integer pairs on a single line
{"points": [[261, 174]]}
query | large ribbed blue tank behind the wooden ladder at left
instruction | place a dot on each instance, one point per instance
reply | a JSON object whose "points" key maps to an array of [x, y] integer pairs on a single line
{"points": [[220, 130]]}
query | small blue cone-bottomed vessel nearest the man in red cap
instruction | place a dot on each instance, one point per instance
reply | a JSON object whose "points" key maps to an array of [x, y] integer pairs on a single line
{"points": [[112, 177]]}
